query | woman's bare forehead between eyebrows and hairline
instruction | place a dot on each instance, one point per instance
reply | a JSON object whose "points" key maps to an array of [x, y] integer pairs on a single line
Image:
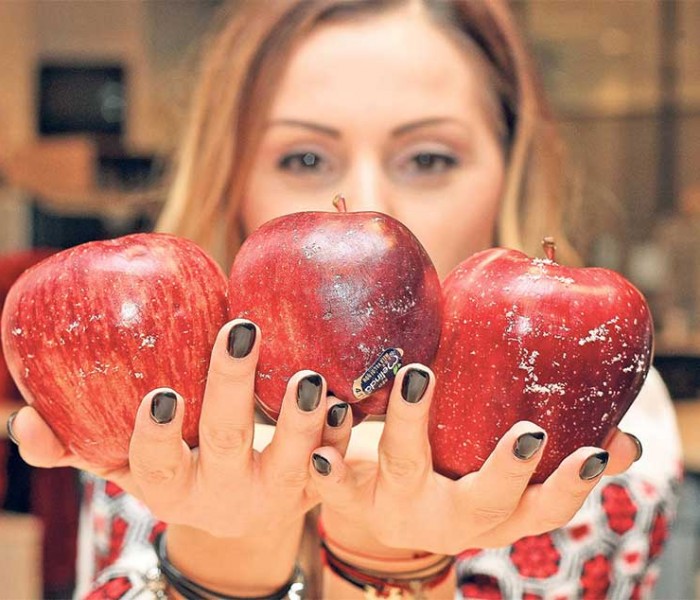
{"points": [[398, 62]]}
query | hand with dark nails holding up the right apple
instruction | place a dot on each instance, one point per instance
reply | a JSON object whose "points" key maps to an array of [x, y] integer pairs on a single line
{"points": [[387, 498]]}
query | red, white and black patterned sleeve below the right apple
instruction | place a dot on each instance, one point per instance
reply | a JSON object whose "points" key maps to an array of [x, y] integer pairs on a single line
{"points": [[610, 550]]}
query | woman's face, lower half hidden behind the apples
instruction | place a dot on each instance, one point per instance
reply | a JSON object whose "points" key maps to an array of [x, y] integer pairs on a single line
{"points": [[389, 112]]}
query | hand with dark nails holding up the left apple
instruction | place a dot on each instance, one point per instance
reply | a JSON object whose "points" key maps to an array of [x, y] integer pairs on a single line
{"points": [[225, 487]]}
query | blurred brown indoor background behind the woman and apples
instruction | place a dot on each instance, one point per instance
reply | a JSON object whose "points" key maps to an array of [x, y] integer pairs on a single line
{"points": [[91, 93]]}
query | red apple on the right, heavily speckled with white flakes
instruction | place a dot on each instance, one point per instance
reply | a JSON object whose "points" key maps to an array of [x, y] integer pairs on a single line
{"points": [[529, 339]]}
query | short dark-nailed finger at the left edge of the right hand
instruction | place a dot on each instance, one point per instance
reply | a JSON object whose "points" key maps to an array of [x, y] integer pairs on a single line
{"points": [[334, 481]]}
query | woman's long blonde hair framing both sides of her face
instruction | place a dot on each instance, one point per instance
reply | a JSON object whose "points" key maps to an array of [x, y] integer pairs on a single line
{"points": [[247, 57]]}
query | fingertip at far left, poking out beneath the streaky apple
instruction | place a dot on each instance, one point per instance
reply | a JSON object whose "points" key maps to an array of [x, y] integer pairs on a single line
{"points": [[38, 445]]}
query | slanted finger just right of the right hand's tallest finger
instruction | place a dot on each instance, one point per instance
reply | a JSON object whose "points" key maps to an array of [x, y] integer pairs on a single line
{"points": [[497, 487]]}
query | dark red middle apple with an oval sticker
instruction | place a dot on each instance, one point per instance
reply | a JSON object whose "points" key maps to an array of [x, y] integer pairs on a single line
{"points": [[351, 295]]}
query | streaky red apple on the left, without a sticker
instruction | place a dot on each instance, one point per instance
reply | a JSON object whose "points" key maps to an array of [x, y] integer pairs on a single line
{"points": [[89, 331]]}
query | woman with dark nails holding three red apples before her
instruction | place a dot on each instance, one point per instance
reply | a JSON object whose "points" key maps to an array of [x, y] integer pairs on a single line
{"points": [[430, 112]]}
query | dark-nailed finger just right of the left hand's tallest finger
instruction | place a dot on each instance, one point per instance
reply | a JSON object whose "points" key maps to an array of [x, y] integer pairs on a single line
{"points": [[298, 430]]}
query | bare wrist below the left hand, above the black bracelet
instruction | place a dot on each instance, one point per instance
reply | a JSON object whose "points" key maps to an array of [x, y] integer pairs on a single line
{"points": [[251, 566]]}
